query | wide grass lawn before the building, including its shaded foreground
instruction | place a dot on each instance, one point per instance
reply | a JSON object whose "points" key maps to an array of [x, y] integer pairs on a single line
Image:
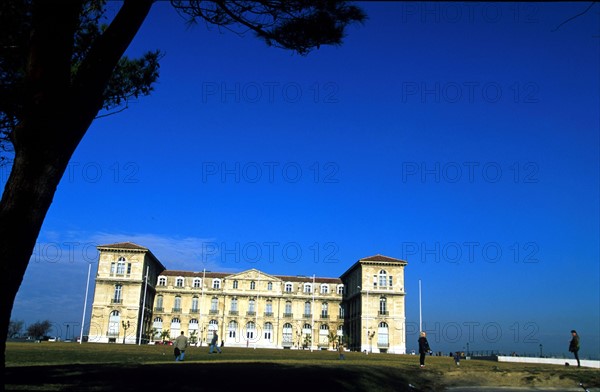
{"points": [[53, 366]]}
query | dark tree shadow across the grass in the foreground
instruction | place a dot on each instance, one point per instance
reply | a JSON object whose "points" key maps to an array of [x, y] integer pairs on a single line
{"points": [[192, 376]]}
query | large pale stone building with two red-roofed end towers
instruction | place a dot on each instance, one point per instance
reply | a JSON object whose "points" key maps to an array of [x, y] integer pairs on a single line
{"points": [[364, 307]]}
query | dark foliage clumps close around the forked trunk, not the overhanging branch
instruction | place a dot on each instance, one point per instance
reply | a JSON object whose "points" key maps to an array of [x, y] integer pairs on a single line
{"points": [[131, 78]]}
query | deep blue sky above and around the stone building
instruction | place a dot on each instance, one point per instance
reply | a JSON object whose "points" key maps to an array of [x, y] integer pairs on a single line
{"points": [[463, 138]]}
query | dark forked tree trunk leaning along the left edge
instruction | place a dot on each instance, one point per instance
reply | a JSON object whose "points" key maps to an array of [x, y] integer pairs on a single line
{"points": [[58, 110]]}
